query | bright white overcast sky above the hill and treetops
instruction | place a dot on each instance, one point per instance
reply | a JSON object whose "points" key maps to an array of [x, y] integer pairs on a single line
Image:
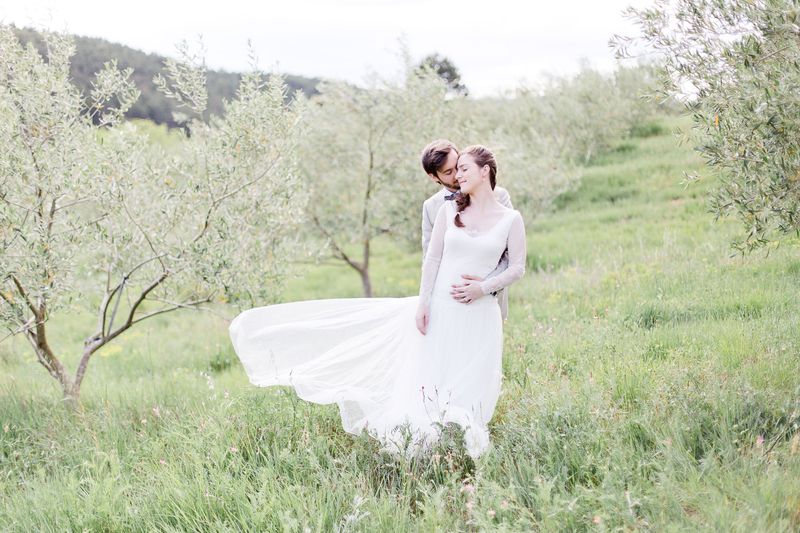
{"points": [[496, 44]]}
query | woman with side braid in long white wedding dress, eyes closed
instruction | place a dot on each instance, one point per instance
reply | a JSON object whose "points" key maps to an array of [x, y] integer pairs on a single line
{"points": [[403, 368]]}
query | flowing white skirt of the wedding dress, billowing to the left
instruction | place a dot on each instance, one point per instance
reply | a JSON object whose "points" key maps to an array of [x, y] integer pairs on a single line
{"points": [[366, 355]]}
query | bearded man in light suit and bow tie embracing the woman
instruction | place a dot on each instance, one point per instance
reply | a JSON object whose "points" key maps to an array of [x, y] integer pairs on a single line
{"points": [[439, 162]]}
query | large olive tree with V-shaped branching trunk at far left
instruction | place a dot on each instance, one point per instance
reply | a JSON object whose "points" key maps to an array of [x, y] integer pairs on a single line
{"points": [[92, 216]]}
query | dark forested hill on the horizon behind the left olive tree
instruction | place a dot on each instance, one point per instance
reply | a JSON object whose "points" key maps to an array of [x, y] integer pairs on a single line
{"points": [[92, 52]]}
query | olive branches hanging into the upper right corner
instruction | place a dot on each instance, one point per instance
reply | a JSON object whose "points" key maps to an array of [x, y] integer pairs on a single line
{"points": [[737, 66]]}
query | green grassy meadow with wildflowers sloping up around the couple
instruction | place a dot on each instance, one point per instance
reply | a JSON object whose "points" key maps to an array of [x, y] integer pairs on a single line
{"points": [[651, 382]]}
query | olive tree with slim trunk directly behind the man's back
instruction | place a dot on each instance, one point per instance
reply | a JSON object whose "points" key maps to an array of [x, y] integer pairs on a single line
{"points": [[361, 161]]}
